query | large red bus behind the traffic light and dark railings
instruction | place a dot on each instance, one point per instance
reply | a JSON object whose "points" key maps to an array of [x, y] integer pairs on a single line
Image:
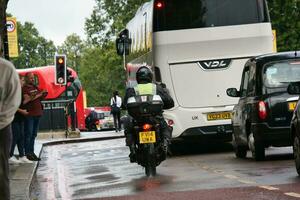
{"points": [[59, 98]]}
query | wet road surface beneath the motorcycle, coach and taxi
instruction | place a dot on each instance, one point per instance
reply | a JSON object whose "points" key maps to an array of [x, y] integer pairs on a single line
{"points": [[102, 169]]}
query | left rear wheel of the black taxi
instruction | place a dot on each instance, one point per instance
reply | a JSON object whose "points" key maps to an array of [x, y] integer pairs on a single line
{"points": [[257, 148]]}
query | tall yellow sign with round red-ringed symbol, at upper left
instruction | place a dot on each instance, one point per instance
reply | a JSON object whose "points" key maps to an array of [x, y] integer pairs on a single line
{"points": [[11, 24]]}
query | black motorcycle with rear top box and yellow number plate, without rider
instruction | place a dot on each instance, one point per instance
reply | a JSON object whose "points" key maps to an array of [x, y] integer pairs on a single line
{"points": [[146, 112]]}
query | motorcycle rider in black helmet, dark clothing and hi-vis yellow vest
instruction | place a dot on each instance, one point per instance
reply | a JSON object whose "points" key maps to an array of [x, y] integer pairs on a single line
{"points": [[145, 86]]}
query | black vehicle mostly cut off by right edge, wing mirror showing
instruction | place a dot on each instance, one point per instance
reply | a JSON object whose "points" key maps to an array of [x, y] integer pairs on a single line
{"points": [[294, 88]]}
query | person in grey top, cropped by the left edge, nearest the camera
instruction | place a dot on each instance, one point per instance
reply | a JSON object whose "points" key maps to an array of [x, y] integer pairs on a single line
{"points": [[10, 99]]}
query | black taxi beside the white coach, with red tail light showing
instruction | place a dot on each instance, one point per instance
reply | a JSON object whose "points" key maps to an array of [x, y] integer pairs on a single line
{"points": [[263, 114]]}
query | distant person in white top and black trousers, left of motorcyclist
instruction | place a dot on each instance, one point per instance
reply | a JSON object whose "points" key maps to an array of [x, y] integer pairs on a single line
{"points": [[115, 104]]}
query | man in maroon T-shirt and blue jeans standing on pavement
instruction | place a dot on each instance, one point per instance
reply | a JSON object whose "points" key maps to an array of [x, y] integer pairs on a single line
{"points": [[32, 103]]}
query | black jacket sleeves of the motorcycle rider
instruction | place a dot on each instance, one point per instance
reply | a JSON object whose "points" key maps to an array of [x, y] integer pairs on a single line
{"points": [[162, 92]]}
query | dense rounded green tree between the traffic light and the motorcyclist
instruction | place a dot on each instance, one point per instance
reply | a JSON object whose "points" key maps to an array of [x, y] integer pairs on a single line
{"points": [[101, 74]]}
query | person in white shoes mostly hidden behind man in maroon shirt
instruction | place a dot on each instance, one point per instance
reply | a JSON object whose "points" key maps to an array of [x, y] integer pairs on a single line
{"points": [[18, 133]]}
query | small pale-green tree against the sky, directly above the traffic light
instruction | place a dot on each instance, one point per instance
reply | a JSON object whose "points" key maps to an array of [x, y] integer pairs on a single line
{"points": [[72, 47]]}
